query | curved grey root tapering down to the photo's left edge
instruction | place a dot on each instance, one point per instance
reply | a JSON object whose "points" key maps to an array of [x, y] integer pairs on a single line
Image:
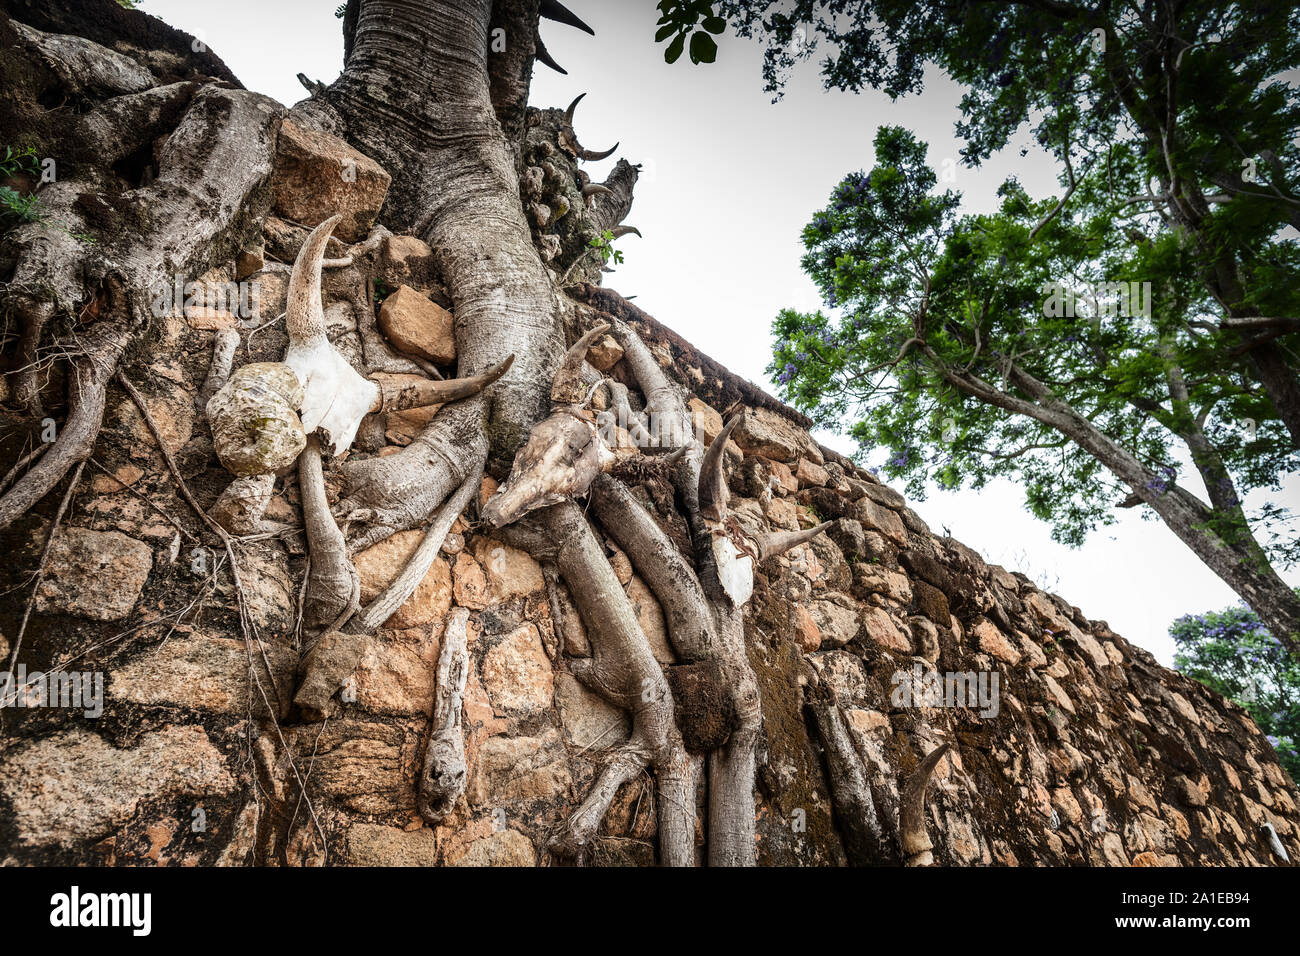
{"points": [[88, 390]]}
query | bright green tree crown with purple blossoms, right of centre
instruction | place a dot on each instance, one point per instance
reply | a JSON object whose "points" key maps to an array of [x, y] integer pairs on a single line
{"points": [[931, 315]]}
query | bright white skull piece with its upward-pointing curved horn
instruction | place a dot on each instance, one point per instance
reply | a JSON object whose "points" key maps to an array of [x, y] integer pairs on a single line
{"points": [[339, 397]]}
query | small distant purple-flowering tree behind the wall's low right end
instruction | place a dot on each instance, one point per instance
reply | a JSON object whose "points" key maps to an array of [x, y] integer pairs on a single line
{"points": [[1233, 654]]}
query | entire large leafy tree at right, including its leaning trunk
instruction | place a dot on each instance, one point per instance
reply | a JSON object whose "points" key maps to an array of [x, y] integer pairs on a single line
{"points": [[955, 341]]}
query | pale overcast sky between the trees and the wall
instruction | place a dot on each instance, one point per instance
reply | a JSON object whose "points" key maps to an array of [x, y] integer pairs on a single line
{"points": [[729, 183]]}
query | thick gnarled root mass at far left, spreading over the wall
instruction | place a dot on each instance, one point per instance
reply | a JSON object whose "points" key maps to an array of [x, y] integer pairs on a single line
{"points": [[211, 163]]}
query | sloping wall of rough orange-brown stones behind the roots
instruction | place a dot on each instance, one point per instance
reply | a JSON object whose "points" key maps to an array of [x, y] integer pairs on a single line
{"points": [[1089, 754]]}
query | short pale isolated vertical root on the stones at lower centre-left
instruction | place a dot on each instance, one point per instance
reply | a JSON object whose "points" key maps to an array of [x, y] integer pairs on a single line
{"points": [[444, 777]]}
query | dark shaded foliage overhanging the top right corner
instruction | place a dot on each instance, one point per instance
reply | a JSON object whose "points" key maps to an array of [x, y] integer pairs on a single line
{"points": [[1197, 93]]}
